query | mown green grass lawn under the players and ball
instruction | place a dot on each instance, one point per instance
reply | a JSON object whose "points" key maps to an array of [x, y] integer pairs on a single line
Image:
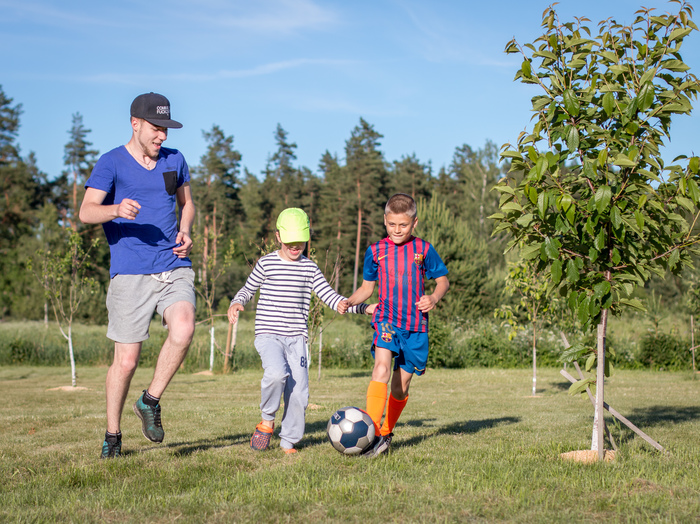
{"points": [[472, 445]]}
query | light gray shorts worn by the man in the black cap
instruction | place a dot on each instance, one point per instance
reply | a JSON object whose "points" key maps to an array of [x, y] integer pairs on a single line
{"points": [[132, 299]]}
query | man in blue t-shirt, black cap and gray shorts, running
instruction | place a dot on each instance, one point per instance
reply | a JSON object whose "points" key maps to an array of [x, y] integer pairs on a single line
{"points": [[135, 192]]}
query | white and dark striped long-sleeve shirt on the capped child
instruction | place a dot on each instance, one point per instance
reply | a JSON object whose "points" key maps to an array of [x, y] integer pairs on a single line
{"points": [[285, 295]]}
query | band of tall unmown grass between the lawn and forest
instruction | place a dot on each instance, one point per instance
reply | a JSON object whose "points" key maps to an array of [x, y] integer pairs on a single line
{"points": [[637, 344]]}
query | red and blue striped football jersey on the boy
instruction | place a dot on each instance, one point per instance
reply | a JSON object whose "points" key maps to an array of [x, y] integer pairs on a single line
{"points": [[400, 273]]}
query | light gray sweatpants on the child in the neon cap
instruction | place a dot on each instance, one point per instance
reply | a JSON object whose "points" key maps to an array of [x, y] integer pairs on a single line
{"points": [[285, 362]]}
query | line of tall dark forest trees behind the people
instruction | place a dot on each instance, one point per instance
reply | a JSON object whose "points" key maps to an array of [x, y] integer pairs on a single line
{"points": [[236, 212]]}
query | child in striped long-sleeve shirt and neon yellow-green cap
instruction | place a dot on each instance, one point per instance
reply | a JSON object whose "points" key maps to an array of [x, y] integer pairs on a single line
{"points": [[286, 279]]}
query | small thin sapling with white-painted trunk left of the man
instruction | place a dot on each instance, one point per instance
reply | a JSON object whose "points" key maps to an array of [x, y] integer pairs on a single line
{"points": [[62, 275]]}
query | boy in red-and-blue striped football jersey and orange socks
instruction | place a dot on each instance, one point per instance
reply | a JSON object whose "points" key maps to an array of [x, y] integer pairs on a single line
{"points": [[399, 264]]}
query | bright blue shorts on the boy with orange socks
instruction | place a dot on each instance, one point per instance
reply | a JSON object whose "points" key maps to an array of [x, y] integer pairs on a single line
{"points": [[410, 348]]}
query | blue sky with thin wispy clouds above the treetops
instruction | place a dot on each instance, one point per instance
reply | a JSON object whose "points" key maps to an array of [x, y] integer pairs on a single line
{"points": [[428, 75]]}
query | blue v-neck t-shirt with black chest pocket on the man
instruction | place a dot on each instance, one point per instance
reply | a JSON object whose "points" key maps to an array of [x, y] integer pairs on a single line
{"points": [[145, 245]]}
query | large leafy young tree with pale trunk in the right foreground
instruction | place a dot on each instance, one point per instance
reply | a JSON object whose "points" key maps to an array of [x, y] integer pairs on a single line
{"points": [[620, 214]]}
